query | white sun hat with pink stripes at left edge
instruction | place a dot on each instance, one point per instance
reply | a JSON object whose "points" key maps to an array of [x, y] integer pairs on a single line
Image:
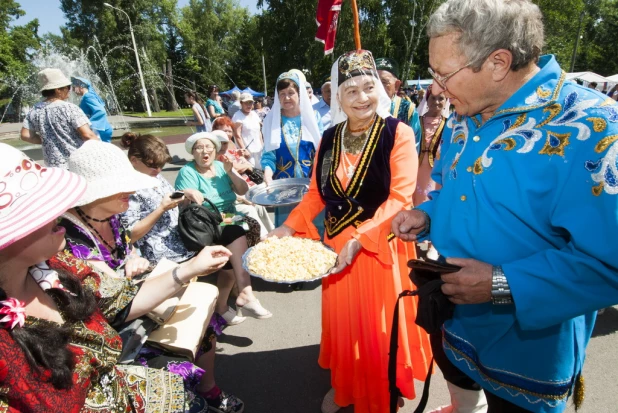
{"points": [[32, 195]]}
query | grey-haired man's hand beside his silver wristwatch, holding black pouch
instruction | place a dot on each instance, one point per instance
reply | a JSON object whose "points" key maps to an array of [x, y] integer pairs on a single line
{"points": [[471, 284]]}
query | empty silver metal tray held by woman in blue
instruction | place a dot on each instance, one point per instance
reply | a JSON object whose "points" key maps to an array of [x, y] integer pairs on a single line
{"points": [[281, 192]]}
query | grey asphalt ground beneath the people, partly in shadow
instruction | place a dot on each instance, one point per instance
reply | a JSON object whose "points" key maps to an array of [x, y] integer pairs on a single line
{"points": [[272, 364]]}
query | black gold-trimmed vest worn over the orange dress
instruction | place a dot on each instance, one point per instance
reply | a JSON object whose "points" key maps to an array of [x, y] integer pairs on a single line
{"points": [[368, 188]]}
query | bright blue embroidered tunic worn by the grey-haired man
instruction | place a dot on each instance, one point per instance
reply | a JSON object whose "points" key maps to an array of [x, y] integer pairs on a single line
{"points": [[534, 189]]}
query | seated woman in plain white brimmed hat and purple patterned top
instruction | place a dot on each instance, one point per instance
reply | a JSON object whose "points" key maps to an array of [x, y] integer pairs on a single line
{"points": [[95, 234]]}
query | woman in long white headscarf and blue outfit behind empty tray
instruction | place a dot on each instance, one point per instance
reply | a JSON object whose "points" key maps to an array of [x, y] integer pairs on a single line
{"points": [[292, 131]]}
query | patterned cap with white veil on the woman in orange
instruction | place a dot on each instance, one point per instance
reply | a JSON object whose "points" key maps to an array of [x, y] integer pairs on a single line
{"points": [[349, 65]]}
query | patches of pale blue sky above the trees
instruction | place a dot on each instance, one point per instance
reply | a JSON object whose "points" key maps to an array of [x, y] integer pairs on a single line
{"points": [[51, 18]]}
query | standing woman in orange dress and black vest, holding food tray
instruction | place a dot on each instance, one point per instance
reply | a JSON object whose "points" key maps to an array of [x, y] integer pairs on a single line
{"points": [[363, 176]]}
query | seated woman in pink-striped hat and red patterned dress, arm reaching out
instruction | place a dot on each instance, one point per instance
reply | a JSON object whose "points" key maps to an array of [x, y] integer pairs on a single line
{"points": [[58, 351]]}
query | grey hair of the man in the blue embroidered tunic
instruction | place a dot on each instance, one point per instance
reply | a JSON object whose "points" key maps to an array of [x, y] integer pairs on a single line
{"points": [[488, 25]]}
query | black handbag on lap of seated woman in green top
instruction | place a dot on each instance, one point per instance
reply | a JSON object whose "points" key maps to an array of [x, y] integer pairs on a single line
{"points": [[199, 226]]}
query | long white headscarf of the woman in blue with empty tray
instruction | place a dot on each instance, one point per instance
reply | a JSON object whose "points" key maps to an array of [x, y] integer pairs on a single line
{"points": [[271, 129]]}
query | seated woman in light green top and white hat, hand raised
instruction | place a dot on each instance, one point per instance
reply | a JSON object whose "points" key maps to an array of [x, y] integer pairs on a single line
{"points": [[219, 183]]}
